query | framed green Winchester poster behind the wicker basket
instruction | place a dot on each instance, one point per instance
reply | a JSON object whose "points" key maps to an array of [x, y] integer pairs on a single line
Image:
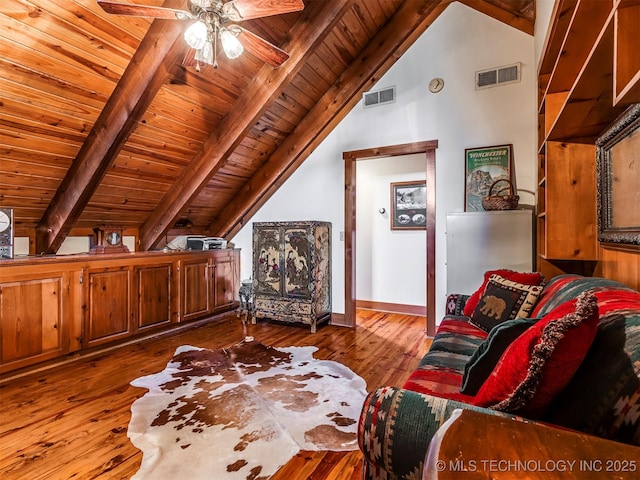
{"points": [[483, 167]]}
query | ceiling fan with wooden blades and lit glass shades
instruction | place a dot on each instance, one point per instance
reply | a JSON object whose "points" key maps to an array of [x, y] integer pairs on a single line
{"points": [[211, 22]]}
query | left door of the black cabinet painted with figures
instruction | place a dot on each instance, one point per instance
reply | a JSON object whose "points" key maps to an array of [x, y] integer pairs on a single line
{"points": [[267, 261]]}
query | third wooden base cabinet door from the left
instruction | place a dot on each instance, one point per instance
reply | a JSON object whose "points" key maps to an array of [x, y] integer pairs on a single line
{"points": [[153, 294]]}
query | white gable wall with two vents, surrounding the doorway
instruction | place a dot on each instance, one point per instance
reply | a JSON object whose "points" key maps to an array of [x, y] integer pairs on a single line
{"points": [[460, 42]]}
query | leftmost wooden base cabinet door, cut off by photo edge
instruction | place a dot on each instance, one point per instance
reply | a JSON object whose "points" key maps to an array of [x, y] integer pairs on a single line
{"points": [[33, 320]]}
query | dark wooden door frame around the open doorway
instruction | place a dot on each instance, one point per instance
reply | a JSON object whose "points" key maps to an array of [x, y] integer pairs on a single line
{"points": [[350, 160]]}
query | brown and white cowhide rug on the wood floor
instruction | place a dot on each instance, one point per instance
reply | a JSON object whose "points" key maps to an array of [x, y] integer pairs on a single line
{"points": [[243, 412]]}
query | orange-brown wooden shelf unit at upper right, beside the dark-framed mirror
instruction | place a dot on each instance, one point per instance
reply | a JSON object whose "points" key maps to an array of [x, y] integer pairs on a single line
{"points": [[588, 75]]}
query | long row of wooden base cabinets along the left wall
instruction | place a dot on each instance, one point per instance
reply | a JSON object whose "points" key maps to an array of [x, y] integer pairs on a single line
{"points": [[53, 306]]}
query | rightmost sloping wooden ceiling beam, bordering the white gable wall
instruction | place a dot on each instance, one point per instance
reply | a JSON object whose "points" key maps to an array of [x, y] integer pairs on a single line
{"points": [[407, 24]]}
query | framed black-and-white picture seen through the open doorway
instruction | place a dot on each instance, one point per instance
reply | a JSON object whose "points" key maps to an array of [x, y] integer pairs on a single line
{"points": [[409, 205]]}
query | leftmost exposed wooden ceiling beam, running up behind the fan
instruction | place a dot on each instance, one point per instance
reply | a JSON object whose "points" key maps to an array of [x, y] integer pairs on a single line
{"points": [[135, 91]]}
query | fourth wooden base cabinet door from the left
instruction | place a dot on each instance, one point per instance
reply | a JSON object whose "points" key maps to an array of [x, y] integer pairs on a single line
{"points": [[196, 289]]}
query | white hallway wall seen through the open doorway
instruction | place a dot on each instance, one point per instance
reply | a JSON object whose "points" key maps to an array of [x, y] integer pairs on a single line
{"points": [[403, 280]]}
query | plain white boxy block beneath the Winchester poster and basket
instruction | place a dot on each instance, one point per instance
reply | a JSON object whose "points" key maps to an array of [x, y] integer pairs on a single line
{"points": [[481, 241]]}
